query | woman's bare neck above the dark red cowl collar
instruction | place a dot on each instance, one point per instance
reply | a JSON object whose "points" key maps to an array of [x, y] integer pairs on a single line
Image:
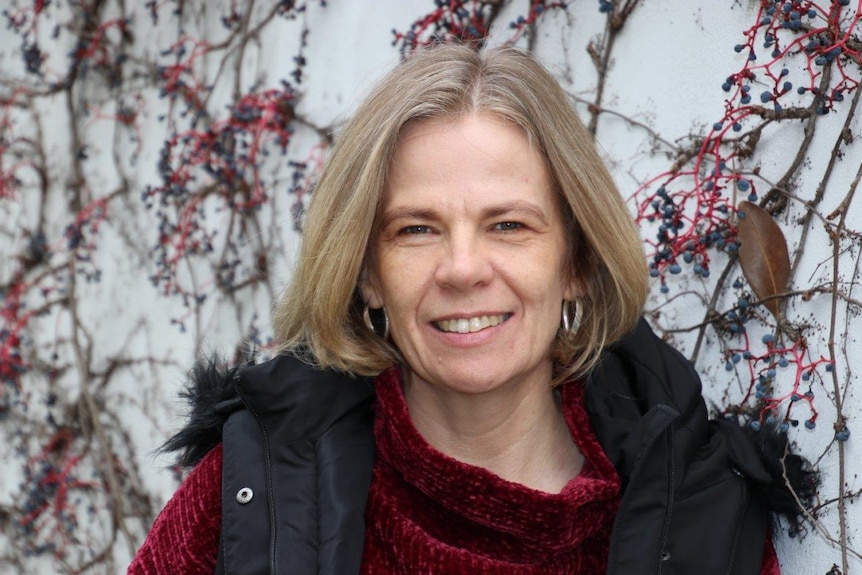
{"points": [[519, 434]]}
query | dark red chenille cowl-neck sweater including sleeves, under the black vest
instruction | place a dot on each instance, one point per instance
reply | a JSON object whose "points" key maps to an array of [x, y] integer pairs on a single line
{"points": [[428, 513]]}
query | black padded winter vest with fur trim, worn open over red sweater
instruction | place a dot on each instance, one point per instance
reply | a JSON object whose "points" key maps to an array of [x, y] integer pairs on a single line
{"points": [[695, 491]]}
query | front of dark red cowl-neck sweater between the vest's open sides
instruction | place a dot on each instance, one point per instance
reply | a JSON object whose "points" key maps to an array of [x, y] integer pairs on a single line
{"points": [[429, 513]]}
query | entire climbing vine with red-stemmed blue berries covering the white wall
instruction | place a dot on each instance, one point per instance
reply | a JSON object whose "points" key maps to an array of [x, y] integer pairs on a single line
{"points": [[155, 161]]}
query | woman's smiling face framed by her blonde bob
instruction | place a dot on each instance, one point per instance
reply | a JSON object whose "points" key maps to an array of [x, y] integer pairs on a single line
{"points": [[469, 257]]}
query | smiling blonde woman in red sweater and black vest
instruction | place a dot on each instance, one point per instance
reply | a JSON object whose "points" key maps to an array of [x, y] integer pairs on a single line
{"points": [[466, 249]]}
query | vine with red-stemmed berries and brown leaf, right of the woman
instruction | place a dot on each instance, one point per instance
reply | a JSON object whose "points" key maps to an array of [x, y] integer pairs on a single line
{"points": [[714, 212]]}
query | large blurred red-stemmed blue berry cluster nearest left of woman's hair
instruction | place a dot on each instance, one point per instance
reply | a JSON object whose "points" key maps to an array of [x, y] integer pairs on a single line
{"points": [[222, 165]]}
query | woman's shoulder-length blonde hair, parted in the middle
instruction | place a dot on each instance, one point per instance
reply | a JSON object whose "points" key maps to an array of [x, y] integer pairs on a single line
{"points": [[320, 312]]}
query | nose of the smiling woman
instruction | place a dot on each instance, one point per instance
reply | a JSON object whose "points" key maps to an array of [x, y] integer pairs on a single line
{"points": [[465, 263]]}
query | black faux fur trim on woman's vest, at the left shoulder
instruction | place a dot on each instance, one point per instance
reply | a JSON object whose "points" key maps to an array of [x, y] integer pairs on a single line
{"points": [[212, 397]]}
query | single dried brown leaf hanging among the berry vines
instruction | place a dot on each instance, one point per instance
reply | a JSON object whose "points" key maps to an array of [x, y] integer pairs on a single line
{"points": [[763, 255]]}
